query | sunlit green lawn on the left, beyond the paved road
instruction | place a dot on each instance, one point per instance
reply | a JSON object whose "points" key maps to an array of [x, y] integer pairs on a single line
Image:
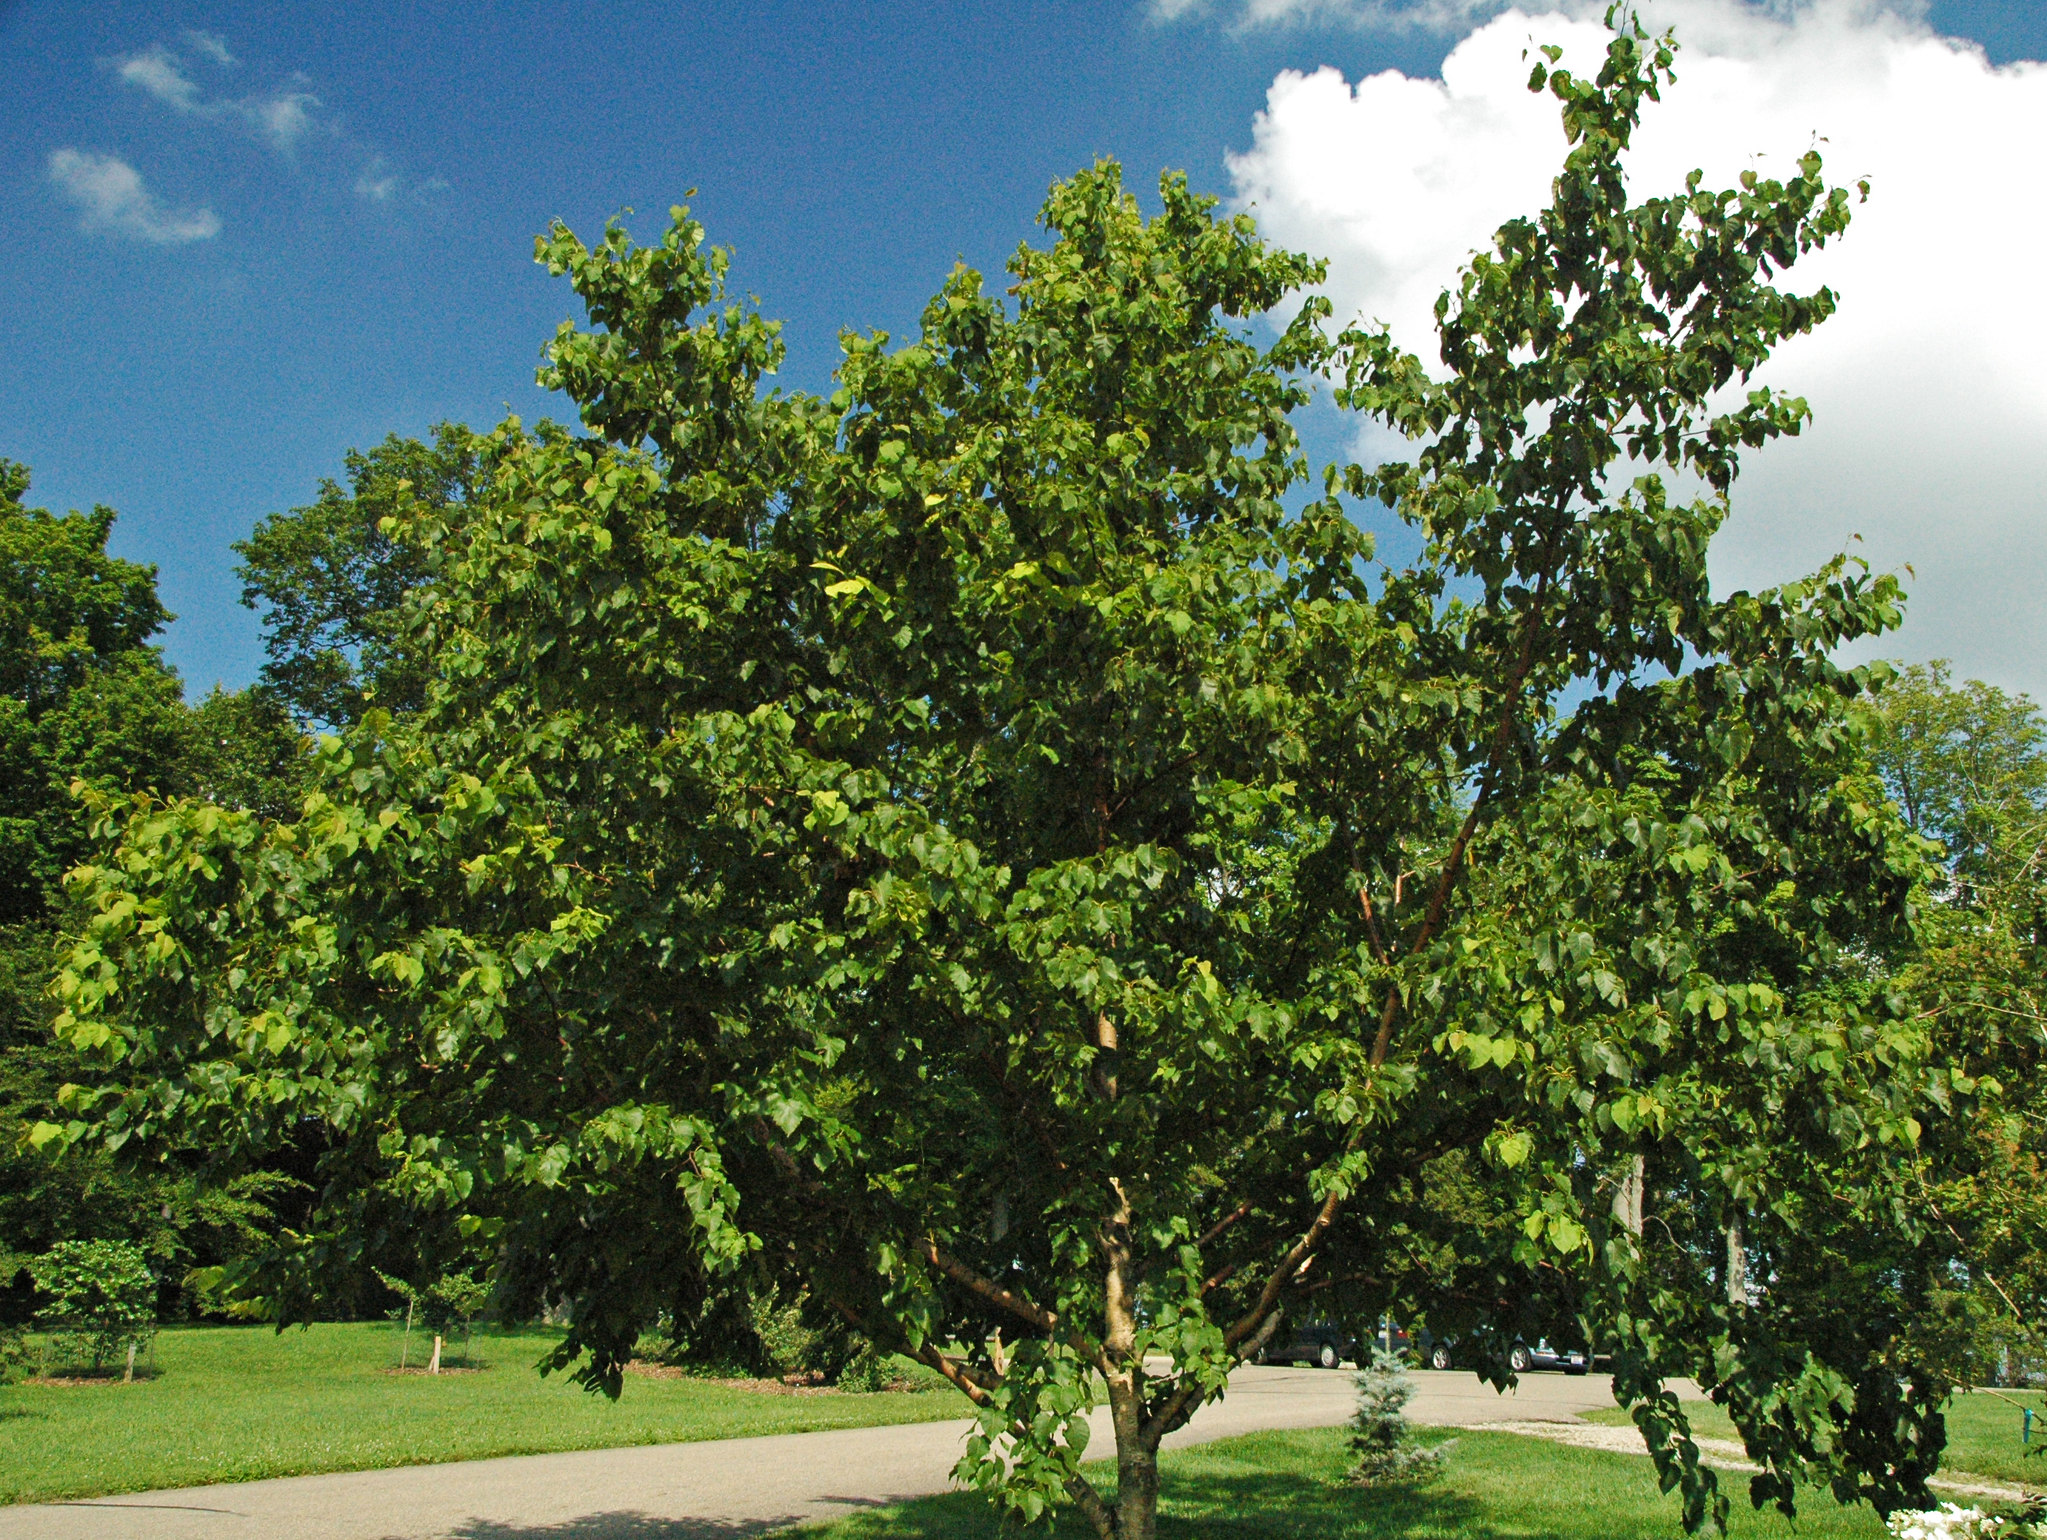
{"points": [[236, 1404]]}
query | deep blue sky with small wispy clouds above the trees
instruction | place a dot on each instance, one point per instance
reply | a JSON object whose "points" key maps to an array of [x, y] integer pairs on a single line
{"points": [[331, 216]]}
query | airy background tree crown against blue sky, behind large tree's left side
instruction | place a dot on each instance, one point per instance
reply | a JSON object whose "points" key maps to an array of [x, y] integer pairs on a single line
{"points": [[331, 581]]}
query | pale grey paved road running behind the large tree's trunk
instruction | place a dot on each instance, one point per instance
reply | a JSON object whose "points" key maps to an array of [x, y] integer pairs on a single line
{"points": [[715, 1490]]}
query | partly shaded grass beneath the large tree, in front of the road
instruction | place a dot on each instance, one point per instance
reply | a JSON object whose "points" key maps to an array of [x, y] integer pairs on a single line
{"points": [[1284, 1488]]}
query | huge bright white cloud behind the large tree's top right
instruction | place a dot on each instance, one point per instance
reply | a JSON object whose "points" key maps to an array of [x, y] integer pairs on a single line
{"points": [[1929, 386]]}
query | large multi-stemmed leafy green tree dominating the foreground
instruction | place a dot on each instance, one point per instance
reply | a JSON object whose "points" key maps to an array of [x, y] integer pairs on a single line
{"points": [[994, 845]]}
